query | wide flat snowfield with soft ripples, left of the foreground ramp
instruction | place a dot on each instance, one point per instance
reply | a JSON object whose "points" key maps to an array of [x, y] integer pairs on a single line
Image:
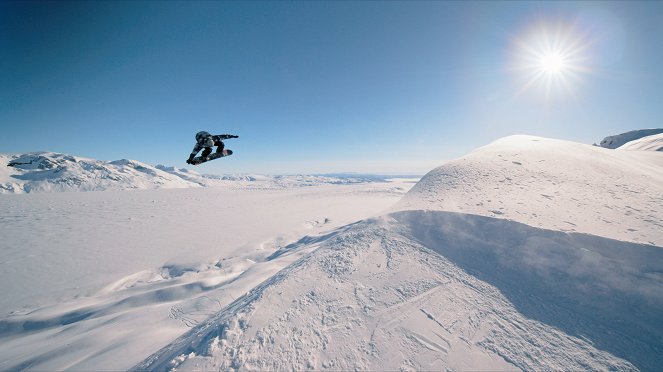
{"points": [[99, 280]]}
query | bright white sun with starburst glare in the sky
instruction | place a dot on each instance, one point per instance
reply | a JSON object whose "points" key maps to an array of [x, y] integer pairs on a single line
{"points": [[551, 59]]}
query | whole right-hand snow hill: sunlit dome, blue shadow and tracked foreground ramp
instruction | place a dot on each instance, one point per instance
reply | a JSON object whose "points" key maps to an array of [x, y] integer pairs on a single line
{"points": [[529, 253]]}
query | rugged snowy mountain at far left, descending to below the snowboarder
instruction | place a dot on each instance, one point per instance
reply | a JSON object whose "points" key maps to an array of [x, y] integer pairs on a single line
{"points": [[48, 171]]}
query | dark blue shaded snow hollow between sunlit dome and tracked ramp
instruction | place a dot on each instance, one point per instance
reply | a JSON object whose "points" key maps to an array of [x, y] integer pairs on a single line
{"points": [[605, 291]]}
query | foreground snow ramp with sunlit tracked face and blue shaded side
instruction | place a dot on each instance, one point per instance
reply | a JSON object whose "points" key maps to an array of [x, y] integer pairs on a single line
{"points": [[440, 290]]}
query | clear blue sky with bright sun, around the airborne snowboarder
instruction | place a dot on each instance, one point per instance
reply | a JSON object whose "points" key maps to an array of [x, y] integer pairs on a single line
{"points": [[314, 87]]}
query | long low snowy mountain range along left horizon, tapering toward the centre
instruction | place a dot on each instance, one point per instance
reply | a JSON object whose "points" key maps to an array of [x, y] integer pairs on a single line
{"points": [[56, 172]]}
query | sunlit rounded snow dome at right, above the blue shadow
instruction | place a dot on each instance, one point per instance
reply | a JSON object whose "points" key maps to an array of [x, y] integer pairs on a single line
{"points": [[552, 184]]}
